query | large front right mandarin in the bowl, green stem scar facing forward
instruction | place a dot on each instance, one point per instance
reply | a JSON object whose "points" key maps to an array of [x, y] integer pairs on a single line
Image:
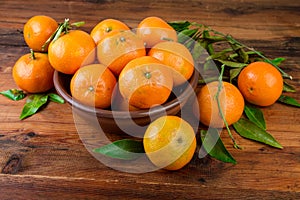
{"points": [[145, 82]]}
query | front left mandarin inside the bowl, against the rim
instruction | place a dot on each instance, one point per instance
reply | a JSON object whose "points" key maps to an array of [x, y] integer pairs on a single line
{"points": [[93, 85]]}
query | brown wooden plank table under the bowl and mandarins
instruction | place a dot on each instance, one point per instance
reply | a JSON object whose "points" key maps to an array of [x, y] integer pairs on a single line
{"points": [[42, 157]]}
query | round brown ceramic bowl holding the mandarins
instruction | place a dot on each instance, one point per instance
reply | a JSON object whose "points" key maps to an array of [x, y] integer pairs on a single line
{"points": [[125, 121]]}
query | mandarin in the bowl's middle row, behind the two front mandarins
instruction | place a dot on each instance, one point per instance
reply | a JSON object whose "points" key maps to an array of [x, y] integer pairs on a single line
{"points": [[118, 48]]}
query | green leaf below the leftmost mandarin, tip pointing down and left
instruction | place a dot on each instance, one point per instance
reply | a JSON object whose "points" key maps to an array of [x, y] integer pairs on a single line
{"points": [[33, 104]]}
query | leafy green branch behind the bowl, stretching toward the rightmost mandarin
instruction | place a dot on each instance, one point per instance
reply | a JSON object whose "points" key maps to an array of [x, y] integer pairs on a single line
{"points": [[234, 55]]}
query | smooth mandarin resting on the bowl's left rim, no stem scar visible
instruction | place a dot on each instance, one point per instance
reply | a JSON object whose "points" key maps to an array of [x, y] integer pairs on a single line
{"points": [[71, 51]]}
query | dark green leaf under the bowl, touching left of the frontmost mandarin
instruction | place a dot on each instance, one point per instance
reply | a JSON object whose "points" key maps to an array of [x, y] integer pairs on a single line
{"points": [[125, 149]]}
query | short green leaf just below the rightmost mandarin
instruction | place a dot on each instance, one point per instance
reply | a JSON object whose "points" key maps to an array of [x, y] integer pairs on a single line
{"points": [[255, 115]]}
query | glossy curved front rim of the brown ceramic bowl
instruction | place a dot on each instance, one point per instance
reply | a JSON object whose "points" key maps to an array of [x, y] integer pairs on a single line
{"points": [[125, 114]]}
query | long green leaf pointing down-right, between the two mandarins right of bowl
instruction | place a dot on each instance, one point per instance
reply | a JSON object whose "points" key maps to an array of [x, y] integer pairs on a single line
{"points": [[251, 131]]}
